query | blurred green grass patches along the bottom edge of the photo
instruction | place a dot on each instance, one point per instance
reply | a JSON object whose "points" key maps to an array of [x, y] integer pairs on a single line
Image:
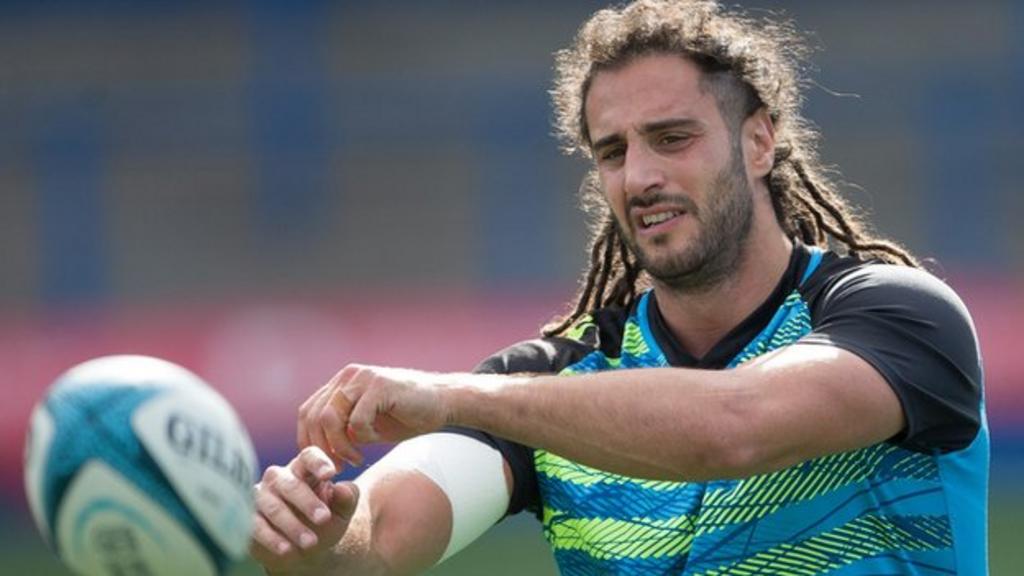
{"points": [[516, 548]]}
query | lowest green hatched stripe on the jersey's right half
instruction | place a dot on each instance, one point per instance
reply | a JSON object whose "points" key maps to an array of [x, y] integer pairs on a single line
{"points": [[863, 539]]}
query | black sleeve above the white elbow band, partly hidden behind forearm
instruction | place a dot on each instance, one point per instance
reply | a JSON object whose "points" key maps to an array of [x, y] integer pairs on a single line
{"points": [[540, 356]]}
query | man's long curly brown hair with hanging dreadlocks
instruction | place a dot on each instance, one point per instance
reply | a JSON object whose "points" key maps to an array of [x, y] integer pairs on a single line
{"points": [[748, 65]]}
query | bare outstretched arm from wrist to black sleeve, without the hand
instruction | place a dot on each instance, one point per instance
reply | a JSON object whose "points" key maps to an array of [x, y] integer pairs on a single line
{"points": [[672, 424]]}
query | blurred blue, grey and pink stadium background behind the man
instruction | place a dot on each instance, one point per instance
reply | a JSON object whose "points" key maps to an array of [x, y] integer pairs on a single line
{"points": [[267, 191]]}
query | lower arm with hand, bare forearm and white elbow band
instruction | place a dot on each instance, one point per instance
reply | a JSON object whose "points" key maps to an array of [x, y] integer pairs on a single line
{"points": [[426, 499]]}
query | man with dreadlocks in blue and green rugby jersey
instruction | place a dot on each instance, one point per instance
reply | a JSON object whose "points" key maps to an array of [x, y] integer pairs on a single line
{"points": [[729, 396]]}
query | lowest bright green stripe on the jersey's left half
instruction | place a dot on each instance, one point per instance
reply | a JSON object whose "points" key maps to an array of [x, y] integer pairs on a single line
{"points": [[614, 540]]}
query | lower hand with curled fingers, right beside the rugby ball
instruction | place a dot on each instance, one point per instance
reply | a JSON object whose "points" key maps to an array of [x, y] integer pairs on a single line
{"points": [[301, 514]]}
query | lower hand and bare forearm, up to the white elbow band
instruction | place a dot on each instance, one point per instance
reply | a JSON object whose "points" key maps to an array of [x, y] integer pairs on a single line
{"points": [[391, 521]]}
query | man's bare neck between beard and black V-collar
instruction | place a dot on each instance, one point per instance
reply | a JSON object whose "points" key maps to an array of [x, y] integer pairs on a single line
{"points": [[700, 319]]}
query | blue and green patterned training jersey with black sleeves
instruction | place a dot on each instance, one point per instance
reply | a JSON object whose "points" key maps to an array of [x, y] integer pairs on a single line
{"points": [[915, 505]]}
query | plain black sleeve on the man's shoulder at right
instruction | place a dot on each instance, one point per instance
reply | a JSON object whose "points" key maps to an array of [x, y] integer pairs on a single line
{"points": [[918, 335]]}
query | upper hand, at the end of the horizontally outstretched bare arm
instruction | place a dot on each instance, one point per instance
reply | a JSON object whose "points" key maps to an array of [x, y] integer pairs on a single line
{"points": [[364, 404]]}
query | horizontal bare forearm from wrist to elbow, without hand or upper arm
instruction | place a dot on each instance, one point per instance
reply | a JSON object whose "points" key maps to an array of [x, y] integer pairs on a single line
{"points": [[632, 423]]}
